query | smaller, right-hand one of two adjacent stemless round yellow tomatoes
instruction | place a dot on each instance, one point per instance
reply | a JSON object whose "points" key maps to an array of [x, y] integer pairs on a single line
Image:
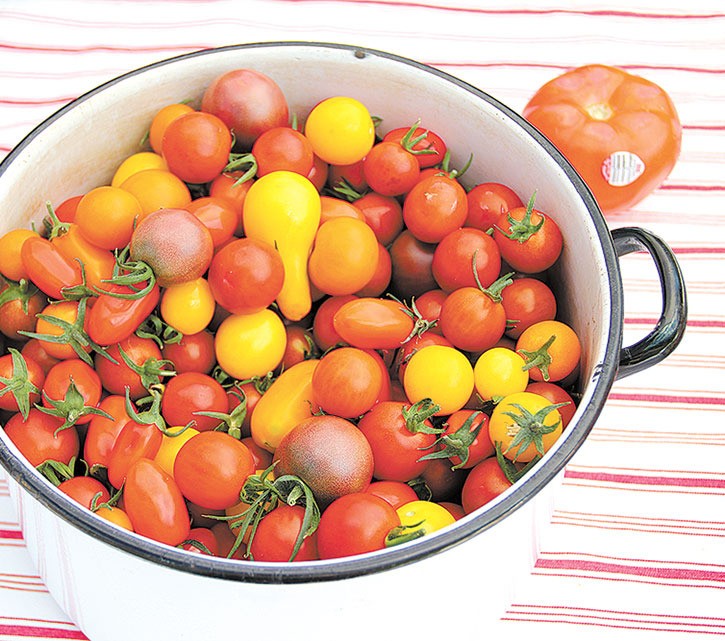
{"points": [[498, 372]]}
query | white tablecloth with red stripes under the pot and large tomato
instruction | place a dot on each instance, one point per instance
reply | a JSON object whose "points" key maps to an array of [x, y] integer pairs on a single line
{"points": [[636, 541]]}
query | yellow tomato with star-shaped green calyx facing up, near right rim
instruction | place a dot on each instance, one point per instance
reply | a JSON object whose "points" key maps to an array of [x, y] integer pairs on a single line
{"points": [[526, 425]]}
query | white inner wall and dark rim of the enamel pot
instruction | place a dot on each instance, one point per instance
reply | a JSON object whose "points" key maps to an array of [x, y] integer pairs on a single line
{"points": [[80, 146]]}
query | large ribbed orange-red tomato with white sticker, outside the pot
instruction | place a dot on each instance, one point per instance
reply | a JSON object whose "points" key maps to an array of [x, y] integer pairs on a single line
{"points": [[620, 131]]}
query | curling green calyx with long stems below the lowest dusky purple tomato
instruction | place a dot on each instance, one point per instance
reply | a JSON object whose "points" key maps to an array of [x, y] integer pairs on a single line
{"points": [[263, 495]]}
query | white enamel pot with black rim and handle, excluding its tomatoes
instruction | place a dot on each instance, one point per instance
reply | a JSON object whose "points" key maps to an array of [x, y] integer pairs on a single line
{"points": [[118, 586]]}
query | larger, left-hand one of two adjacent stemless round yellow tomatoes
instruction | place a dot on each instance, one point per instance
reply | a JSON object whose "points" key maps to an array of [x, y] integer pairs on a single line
{"points": [[442, 374]]}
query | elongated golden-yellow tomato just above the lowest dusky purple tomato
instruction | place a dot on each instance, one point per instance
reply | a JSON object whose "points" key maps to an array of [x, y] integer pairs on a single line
{"points": [[286, 403]]}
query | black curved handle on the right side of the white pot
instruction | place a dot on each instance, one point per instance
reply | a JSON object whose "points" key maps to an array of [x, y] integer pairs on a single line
{"points": [[670, 327]]}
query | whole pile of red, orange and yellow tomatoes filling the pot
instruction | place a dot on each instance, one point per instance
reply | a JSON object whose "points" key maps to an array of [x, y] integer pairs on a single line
{"points": [[276, 342]]}
